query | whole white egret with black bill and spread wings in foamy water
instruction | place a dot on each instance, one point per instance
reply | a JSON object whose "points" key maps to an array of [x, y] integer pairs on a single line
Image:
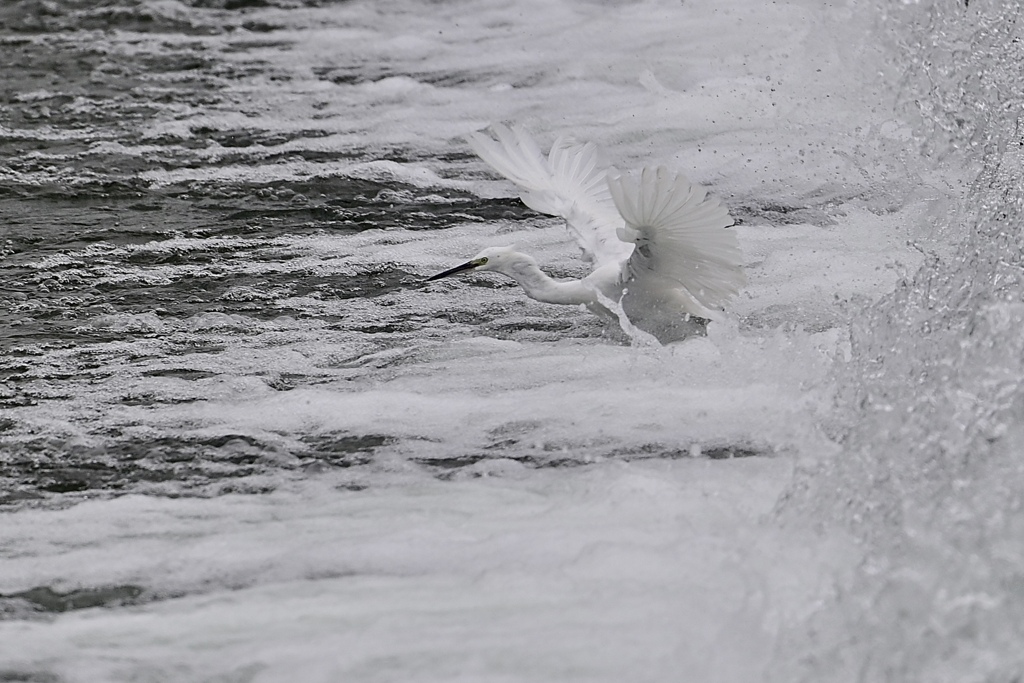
{"points": [[660, 248]]}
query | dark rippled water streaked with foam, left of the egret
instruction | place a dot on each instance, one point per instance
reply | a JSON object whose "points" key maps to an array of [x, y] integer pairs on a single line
{"points": [[118, 277]]}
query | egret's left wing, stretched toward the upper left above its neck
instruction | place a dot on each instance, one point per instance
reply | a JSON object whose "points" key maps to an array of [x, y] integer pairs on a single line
{"points": [[571, 184]]}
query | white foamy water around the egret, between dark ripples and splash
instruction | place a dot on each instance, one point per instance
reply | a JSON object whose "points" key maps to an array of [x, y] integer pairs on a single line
{"points": [[645, 561]]}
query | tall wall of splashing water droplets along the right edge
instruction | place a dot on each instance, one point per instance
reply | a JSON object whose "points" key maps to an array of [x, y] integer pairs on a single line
{"points": [[932, 475]]}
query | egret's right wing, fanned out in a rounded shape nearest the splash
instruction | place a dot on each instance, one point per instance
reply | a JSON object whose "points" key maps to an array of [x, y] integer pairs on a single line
{"points": [[681, 237]]}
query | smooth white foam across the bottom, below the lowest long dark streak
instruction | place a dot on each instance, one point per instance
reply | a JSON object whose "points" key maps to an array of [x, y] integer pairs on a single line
{"points": [[419, 579]]}
